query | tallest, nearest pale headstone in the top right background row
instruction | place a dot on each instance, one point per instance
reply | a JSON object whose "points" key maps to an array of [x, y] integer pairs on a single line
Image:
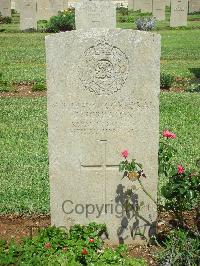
{"points": [[179, 10]]}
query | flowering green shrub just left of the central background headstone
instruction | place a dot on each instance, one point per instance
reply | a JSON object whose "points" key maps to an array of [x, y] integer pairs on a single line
{"points": [[65, 21]]}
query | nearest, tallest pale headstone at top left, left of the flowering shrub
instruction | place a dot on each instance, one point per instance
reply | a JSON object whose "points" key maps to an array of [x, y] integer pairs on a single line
{"points": [[28, 15]]}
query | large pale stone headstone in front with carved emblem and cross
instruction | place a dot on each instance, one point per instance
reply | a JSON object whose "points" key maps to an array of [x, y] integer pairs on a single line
{"points": [[103, 97]]}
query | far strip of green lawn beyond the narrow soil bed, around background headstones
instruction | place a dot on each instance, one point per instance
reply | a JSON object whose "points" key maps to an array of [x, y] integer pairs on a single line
{"points": [[22, 55]]}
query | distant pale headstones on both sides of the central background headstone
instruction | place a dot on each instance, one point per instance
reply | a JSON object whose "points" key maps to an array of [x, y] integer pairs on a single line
{"points": [[33, 10]]}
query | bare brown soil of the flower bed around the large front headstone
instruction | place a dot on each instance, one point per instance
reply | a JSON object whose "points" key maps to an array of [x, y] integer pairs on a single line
{"points": [[17, 227]]}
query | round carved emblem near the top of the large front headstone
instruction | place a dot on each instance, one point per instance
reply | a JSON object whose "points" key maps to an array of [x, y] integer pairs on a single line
{"points": [[104, 69]]}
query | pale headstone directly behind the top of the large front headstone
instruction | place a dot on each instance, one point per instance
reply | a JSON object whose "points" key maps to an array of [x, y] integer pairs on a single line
{"points": [[95, 14]]}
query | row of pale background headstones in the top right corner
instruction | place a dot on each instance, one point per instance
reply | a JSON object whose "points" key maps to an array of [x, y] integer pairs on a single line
{"points": [[179, 9]]}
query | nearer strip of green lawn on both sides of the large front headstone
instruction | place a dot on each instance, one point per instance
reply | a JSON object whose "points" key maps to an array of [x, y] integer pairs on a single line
{"points": [[23, 146]]}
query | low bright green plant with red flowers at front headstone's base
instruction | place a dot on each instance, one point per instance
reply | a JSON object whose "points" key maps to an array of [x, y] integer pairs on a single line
{"points": [[81, 245]]}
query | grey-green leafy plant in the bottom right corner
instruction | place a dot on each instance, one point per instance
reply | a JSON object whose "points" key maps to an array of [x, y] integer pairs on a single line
{"points": [[180, 249]]}
